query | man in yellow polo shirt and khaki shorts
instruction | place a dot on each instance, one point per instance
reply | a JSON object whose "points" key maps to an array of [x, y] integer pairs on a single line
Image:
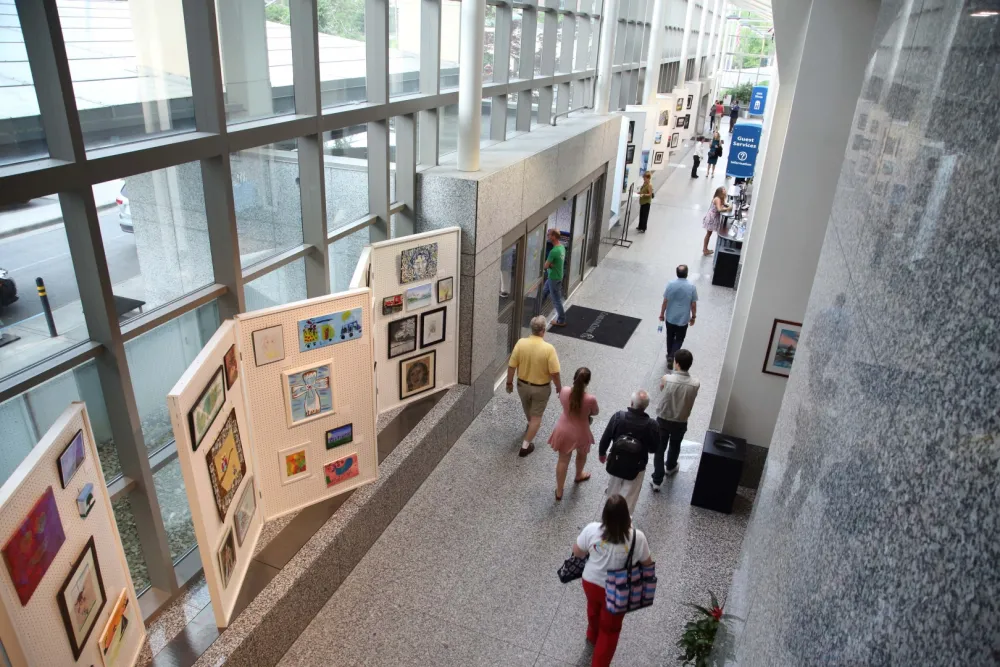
{"points": [[537, 366]]}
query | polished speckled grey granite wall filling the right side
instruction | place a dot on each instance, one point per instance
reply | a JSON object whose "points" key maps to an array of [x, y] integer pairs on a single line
{"points": [[874, 539]]}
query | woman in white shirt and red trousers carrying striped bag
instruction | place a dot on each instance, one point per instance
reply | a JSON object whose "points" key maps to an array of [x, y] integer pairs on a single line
{"points": [[607, 544]]}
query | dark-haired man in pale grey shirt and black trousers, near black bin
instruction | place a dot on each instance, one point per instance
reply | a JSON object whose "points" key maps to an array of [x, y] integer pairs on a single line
{"points": [[678, 391]]}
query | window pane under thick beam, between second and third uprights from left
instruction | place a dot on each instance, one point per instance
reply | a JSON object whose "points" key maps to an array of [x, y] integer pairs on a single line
{"points": [[266, 195]]}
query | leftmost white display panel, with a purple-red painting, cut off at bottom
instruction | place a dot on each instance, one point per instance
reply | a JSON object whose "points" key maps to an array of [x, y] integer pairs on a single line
{"points": [[35, 632]]}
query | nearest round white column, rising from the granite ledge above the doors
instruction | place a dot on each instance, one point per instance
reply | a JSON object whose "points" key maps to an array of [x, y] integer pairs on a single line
{"points": [[470, 83]]}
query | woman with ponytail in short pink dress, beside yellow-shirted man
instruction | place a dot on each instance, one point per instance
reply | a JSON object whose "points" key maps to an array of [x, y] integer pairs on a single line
{"points": [[572, 431]]}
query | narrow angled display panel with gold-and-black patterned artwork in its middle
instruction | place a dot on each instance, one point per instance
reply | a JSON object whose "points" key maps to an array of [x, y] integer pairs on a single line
{"points": [[211, 530]]}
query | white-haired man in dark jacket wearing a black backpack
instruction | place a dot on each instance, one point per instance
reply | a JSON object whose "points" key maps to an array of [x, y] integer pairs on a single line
{"points": [[632, 436]]}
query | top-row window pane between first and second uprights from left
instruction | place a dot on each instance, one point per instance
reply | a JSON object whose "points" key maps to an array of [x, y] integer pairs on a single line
{"points": [[129, 65]]}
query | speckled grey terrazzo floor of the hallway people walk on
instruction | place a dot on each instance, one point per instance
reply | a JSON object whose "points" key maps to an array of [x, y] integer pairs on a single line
{"points": [[465, 574]]}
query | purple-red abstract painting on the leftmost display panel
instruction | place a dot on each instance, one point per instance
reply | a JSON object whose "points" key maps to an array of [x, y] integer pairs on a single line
{"points": [[31, 549]]}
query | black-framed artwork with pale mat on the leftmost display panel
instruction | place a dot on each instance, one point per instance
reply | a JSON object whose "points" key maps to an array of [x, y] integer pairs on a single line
{"points": [[81, 598]]}
